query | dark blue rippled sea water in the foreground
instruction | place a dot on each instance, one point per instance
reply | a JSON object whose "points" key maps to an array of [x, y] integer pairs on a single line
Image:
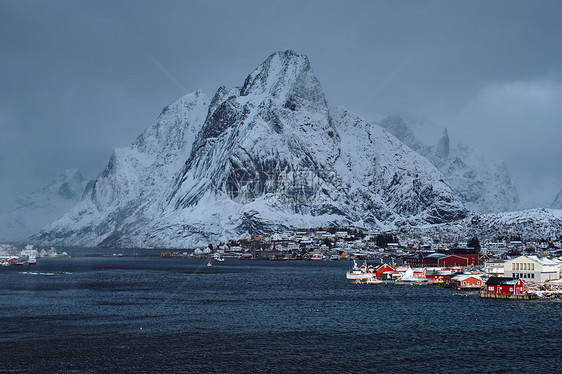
{"points": [[151, 314]]}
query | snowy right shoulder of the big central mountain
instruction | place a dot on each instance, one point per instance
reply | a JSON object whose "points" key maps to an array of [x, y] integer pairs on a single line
{"points": [[405, 188]]}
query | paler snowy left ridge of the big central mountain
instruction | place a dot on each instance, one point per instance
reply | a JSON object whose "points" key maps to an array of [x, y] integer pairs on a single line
{"points": [[130, 192]]}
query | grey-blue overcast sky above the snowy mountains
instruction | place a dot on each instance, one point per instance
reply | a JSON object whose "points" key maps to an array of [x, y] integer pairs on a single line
{"points": [[77, 78]]}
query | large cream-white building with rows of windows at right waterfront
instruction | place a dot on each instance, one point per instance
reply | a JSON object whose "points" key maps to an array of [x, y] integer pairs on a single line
{"points": [[532, 268]]}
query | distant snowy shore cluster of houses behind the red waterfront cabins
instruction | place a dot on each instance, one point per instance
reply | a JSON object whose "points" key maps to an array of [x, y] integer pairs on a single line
{"points": [[350, 242]]}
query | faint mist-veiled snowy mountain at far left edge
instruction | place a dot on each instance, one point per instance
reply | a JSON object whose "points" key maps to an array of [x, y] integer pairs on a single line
{"points": [[32, 211]]}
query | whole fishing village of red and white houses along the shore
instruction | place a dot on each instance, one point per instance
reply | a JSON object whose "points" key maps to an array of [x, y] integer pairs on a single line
{"points": [[509, 269]]}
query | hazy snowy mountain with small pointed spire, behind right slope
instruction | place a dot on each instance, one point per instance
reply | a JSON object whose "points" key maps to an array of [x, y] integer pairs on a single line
{"points": [[483, 185]]}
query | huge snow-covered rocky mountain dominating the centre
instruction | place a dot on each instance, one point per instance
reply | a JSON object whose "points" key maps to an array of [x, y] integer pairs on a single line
{"points": [[268, 155]]}
